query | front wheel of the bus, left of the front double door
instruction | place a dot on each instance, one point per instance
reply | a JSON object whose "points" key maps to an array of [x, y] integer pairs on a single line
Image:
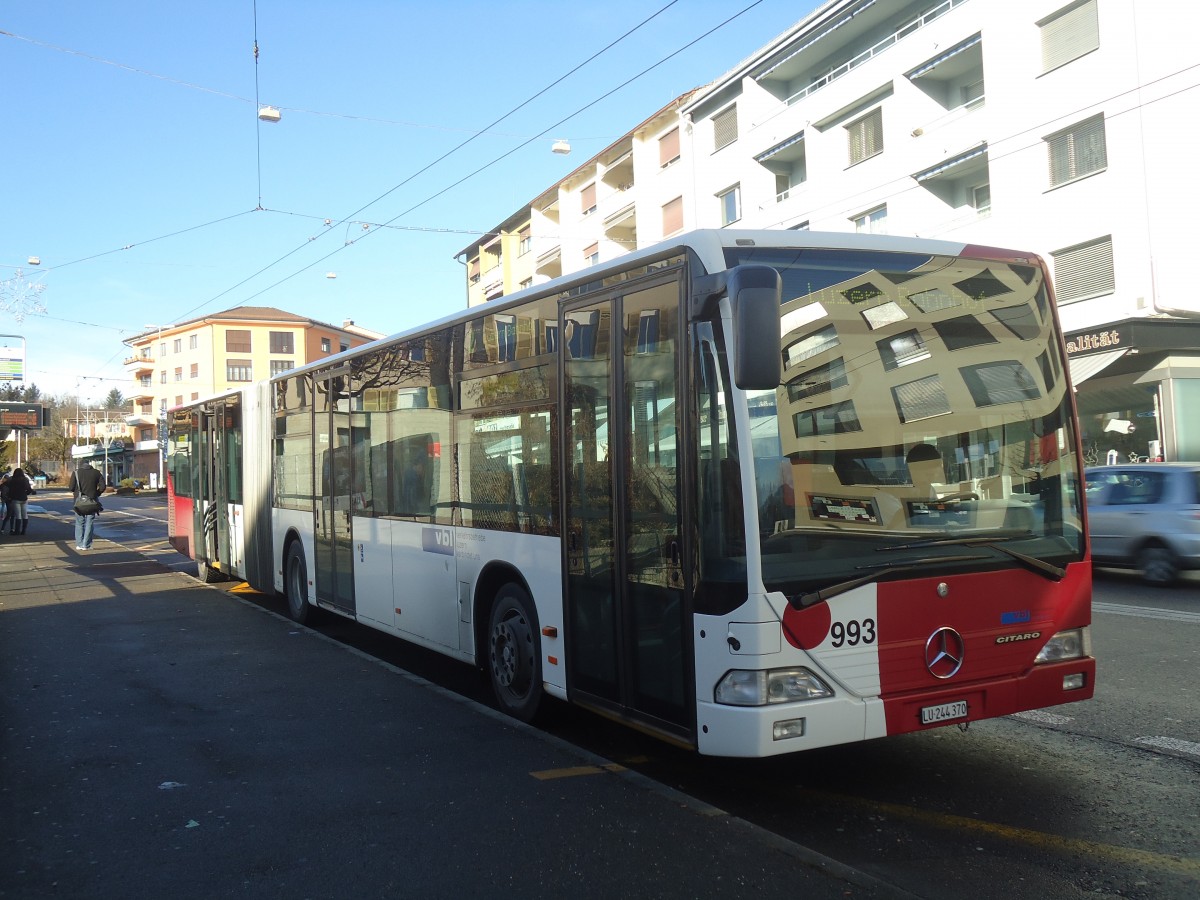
{"points": [[514, 658]]}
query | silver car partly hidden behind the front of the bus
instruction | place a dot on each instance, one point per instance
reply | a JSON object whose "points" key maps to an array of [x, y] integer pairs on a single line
{"points": [[1145, 517]]}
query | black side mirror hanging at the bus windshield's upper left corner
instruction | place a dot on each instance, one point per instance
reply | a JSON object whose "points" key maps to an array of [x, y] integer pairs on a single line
{"points": [[755, 295]]}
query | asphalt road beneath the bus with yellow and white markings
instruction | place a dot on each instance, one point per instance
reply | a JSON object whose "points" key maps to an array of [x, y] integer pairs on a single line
{"points": [[1099, 800]]}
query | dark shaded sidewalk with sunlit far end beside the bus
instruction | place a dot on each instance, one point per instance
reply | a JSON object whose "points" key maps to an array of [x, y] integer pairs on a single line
{"points": [[160, 739]]}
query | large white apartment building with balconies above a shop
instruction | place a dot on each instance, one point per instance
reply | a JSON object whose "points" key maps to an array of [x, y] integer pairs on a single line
{"points": [[1046, 125]]}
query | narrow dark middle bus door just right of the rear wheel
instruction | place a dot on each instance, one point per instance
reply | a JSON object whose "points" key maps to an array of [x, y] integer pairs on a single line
{"points": [[333, 479]]}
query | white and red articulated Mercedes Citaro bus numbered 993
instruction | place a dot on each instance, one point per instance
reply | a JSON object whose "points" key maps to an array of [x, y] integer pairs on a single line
{"points": [[753, 493]]}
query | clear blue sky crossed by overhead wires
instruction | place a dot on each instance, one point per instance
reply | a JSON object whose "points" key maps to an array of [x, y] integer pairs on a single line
{"points": [[135, 167]]}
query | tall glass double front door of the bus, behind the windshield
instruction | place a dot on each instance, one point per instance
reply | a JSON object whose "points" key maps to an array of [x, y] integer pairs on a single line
{"points": [[627, 637]]}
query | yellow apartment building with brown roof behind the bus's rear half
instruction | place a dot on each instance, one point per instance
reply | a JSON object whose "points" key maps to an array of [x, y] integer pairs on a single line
{"points": [[176, 364]]}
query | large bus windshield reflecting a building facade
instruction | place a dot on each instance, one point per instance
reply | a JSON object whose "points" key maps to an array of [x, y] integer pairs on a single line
{"points": [[922, 418]]}
